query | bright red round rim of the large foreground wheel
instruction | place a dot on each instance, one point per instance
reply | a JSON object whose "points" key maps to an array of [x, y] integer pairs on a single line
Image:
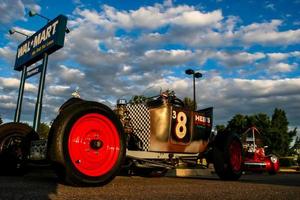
{"points": [[94, 144]]}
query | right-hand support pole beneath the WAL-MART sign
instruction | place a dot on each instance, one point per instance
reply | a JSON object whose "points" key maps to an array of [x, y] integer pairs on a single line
{"points": [[38, 106]]}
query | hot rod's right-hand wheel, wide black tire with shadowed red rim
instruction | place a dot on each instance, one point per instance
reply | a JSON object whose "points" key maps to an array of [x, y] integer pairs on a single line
{"points": [[227, 156]]}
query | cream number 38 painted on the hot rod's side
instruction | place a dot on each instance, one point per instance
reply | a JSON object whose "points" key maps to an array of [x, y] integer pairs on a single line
{"points": [[181, 121]]}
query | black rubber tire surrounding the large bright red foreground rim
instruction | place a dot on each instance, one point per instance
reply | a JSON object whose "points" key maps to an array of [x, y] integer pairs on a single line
{"points": [[61, 155]]}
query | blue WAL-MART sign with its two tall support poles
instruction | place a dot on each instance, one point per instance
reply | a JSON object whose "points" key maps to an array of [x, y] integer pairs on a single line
{"points": [[37, 47]]}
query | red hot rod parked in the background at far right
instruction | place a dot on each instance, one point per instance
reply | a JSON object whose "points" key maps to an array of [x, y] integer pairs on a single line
{"points": [[255, 159]]}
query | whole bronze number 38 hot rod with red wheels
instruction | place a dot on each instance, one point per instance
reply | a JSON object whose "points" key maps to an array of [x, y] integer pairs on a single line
{"points": [[89, 143]]}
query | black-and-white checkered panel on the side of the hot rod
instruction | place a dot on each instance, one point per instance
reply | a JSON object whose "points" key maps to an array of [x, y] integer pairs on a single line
{"points": [[140, 122]]}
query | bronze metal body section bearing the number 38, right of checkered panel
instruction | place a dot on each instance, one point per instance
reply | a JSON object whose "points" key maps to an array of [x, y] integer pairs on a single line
{"points": [[174, 130]]}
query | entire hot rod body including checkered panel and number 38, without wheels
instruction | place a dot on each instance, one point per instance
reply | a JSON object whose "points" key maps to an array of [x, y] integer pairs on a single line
{"points": [[160, 126]]}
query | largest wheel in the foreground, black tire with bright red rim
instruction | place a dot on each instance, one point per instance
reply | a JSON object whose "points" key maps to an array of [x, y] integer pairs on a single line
{"points": [[87, 144]]}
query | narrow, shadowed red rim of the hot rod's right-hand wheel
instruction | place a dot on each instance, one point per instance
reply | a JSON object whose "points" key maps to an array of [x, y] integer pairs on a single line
{"points": [[235, 155]]}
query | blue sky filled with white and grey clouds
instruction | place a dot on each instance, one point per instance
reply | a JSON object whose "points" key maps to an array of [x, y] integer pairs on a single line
{"points": [[248, 51]]}
